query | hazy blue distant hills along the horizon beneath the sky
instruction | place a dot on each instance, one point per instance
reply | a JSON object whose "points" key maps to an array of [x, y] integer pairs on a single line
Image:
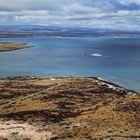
{"points": [[36, 30]]}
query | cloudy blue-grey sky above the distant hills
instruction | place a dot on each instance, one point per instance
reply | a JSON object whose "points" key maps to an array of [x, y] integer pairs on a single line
{"points": [[109, 14]]}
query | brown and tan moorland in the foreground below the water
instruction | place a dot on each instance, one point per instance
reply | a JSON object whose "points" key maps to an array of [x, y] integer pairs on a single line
{"points": [[67, 109]]}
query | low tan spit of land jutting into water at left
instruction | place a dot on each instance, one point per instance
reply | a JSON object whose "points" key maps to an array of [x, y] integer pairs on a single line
{"points": [[10, 46]]}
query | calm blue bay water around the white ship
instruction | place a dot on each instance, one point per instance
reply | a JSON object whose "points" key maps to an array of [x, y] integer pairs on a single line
{"points": [[114, 59]]}
